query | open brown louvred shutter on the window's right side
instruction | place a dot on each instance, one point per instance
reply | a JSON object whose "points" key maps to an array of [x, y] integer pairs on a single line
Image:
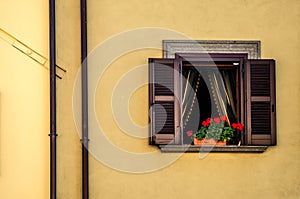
{"points": [[260, 106]]}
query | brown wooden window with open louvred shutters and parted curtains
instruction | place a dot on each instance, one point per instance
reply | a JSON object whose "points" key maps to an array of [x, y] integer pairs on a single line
{"points": [[193, 86]]}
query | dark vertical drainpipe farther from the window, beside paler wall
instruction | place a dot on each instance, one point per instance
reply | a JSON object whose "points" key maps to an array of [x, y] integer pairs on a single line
{"points": [[52, 134]]}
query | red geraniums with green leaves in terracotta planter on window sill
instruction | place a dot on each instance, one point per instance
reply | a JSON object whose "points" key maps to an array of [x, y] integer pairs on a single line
{"points": [[215, 131]]}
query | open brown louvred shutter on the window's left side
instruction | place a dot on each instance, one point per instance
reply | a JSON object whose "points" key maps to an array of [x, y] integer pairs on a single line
{"points": [[162, 102]]}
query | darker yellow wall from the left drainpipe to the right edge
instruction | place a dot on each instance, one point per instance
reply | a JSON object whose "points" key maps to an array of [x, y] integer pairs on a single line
{"points": [[272, 174]]}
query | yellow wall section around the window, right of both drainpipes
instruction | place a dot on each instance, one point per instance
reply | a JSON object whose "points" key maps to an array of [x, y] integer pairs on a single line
{"points": [[273, 174]]}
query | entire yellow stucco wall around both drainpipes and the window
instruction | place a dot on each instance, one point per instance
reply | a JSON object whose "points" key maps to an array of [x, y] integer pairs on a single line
{"points": [[273, 174]]}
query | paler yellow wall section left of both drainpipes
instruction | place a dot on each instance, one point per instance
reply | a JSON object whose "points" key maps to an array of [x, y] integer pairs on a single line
{"points": [[24, 103]]}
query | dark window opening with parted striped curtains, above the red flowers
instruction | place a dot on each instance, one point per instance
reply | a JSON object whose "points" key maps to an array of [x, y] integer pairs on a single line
{"points": [[208, 92]]}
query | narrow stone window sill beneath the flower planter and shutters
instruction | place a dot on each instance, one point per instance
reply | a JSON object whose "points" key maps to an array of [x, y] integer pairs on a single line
{"points": [[197, 149]]}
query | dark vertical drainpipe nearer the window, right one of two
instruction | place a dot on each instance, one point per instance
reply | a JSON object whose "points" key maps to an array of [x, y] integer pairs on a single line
{"points": [[84, 94]]}
